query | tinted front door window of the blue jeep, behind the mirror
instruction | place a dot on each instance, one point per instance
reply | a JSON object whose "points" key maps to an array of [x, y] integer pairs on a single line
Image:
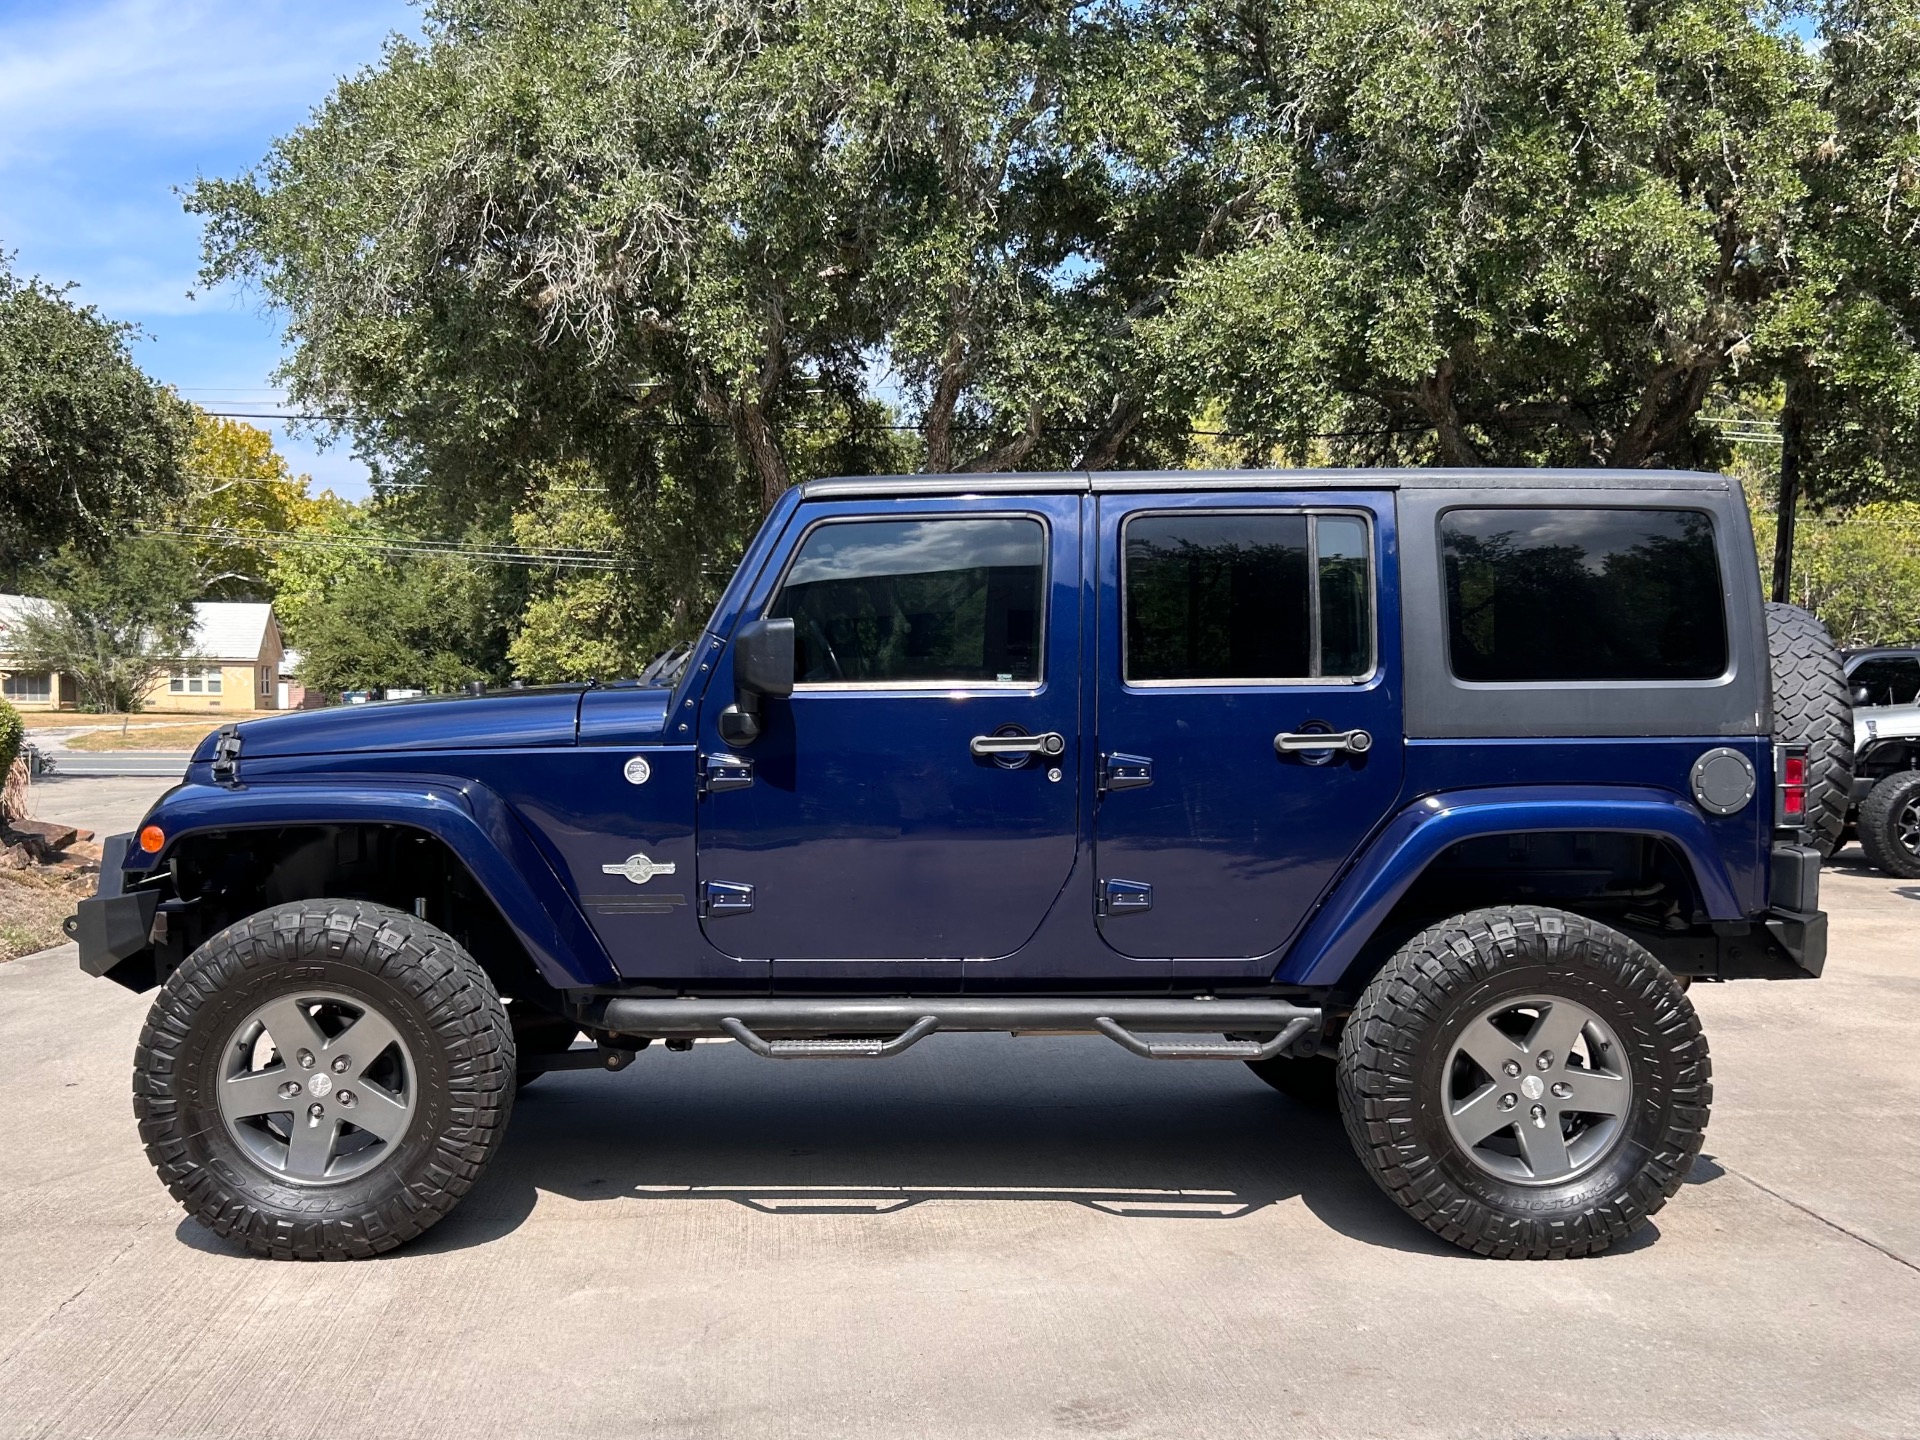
{"points": [[913, 602]]}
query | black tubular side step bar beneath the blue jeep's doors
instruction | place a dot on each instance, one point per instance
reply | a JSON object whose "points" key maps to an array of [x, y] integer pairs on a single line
{"points": [[875, 1030]]}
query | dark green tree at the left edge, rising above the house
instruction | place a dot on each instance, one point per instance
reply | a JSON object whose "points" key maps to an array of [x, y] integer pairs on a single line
{"points": [[85, 439]]}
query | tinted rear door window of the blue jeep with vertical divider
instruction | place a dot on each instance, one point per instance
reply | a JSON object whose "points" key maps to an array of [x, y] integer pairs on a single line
{"points": [[1247, 596]]}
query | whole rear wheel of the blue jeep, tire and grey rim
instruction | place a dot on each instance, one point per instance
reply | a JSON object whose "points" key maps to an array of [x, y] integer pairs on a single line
{"points": [[1527, 1084]]}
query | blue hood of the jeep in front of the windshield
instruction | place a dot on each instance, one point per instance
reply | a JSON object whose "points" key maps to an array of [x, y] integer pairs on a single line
{"points": [[506, 719]]}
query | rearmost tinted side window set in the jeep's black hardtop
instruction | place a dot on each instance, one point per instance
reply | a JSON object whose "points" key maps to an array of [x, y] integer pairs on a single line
{"points": [[1583, 594]]}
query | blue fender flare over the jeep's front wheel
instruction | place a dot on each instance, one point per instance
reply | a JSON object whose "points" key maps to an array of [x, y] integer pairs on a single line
{"points": [[469, 819]]}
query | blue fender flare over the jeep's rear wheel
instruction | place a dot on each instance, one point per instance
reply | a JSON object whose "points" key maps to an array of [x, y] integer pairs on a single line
{"points": [[1414, 838]]}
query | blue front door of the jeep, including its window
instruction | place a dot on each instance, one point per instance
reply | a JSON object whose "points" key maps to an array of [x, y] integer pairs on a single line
{"points": [[913, 804]]}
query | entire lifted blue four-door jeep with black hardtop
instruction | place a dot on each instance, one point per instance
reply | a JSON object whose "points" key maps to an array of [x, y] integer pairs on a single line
{"points": [[1428, 792]]}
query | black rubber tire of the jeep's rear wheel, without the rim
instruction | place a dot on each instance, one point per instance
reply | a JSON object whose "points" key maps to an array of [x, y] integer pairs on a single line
{"points": [[1393, 1080]]}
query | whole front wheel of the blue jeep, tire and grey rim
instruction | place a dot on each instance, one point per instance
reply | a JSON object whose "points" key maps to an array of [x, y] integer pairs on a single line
{"points": [[324, 1080]]}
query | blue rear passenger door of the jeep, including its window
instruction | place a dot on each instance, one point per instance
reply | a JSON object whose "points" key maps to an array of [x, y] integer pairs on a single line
{"points": [[1234, 631]]}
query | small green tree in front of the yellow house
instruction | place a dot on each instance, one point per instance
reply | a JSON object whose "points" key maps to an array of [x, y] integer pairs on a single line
{"points": [[114, 621]]}
